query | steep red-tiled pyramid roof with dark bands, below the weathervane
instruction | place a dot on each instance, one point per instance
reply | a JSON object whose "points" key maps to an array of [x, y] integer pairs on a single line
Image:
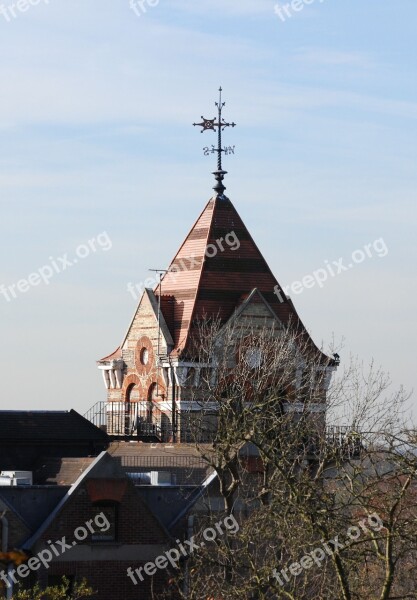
{"points": [[216, 268]]}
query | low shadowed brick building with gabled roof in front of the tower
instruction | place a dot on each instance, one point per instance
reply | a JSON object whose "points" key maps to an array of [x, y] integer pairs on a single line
{"points": [[92, 525]]}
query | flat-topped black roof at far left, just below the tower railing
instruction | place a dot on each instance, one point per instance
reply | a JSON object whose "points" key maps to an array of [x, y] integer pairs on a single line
{"points": [[47, 426]]}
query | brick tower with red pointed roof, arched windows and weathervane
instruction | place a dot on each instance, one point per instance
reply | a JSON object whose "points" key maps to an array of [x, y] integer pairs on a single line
{"points": [[218, 272]]}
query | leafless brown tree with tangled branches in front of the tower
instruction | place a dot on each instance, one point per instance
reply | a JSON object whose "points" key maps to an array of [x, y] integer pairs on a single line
{"points": [[330, 513]]}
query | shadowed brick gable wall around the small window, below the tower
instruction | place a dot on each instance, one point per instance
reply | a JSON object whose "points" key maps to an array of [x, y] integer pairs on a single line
{"points": [[137, 531]]}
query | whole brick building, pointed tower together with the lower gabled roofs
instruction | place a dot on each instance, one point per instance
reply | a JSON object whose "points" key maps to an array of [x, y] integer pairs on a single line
{"points": [[133, 463]]}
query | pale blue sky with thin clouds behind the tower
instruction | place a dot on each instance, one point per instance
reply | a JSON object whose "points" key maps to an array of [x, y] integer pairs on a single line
{"points": [[102, 174]]}
